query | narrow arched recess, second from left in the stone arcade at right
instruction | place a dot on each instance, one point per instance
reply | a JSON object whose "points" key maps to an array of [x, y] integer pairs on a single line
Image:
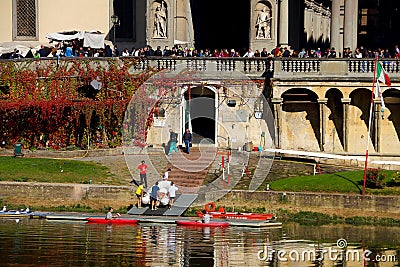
{"points": [[334, 104]]}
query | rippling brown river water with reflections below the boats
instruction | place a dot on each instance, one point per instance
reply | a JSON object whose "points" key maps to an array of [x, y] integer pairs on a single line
{"points": [[33, 242]]}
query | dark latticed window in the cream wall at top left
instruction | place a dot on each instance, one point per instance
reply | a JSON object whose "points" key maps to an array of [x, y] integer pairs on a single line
{"points": [[25, 20]]}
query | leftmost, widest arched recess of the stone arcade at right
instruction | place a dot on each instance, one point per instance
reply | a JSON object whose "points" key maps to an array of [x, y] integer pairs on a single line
{"points": [[302, 115]]}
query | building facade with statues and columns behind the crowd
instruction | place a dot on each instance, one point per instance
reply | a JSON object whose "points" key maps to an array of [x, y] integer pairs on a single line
{"points": [[209, 24]]}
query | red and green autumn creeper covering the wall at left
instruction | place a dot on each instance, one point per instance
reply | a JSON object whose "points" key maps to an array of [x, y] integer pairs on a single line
{"points": [[45, 103]]}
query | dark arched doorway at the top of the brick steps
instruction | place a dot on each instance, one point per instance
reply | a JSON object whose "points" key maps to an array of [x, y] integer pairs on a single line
{"points": [[200, 114]]}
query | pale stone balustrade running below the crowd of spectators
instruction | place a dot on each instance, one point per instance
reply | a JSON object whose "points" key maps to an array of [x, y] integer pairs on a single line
{"points": [[282, 68]]}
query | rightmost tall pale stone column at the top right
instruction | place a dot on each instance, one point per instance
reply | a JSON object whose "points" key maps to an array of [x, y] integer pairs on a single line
{"points": [[350, 23]]}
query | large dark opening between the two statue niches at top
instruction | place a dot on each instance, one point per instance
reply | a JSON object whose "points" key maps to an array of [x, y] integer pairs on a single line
{"points": [[220, 24]]}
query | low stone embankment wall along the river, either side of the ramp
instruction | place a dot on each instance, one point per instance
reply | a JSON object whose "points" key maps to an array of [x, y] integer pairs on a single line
{"points": [[37, 194]]}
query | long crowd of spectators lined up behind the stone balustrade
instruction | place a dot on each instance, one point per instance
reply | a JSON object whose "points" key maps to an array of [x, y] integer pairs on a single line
{"points": [[75, 49]]}
